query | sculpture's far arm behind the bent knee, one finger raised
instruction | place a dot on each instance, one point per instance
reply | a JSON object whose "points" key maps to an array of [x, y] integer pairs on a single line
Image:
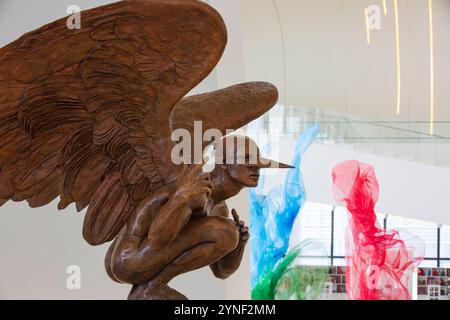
{"points": [[226, 266]]}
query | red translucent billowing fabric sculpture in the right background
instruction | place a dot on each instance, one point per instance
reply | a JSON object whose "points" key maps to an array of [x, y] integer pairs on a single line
{"points": [[379, 262]]}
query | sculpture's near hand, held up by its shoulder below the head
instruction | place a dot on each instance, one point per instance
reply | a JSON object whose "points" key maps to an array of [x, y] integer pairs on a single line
{"points": [[194, 187]]}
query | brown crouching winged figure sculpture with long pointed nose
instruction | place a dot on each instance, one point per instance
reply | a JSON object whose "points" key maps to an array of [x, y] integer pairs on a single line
{"points": [[87, 115]]}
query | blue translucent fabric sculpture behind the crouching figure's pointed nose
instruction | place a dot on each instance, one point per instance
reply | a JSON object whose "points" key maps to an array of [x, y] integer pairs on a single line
{"points": [[272, 216]]}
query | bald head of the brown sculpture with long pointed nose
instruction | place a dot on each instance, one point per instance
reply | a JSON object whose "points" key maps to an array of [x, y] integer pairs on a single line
{"points": [[240, 160]]}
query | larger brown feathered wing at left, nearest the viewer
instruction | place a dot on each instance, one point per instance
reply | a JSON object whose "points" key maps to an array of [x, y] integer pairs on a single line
{"points": [[84, 114]]}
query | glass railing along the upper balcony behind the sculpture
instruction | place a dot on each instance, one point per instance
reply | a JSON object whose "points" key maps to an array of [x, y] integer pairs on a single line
{"points": [[408, 140]]}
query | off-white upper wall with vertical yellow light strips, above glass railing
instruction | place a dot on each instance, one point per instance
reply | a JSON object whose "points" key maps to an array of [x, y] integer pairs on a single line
{"points": [[317, 54]]}
